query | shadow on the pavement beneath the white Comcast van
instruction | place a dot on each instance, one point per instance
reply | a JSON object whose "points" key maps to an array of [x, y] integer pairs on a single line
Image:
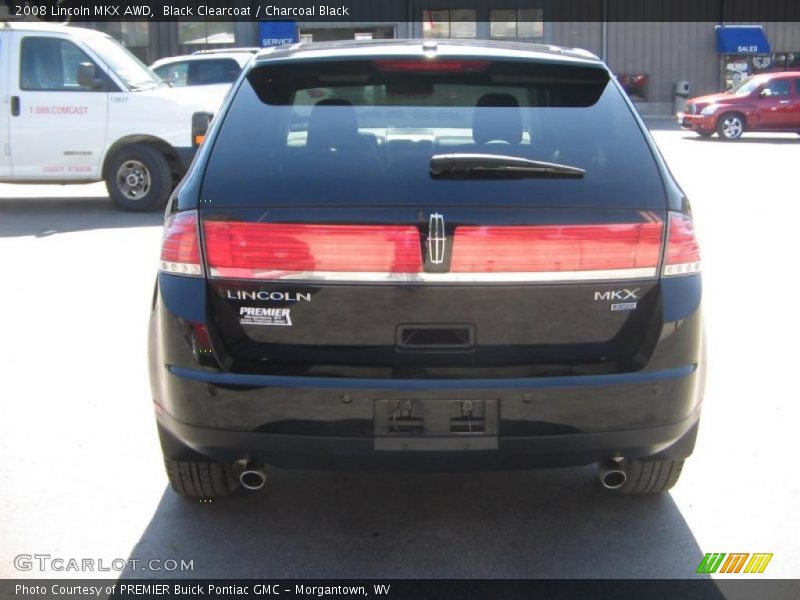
{"points": [[48, 216]]}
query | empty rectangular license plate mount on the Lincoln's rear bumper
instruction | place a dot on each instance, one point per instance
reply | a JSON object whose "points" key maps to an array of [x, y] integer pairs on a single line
{"points": [[422, 424]]}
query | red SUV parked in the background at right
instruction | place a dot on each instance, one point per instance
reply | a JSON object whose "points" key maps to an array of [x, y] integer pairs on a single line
{"points": [[764, 102]]}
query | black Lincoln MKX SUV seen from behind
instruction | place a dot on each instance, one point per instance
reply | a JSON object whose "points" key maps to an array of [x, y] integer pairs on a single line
{"points": [[427, 255]]}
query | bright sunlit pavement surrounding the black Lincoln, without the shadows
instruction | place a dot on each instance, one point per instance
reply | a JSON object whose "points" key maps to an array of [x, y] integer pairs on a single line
{"points": [[80, 464]]}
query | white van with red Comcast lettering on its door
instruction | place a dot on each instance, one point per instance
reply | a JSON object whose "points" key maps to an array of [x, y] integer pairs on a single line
{"points": [[78, 107]]}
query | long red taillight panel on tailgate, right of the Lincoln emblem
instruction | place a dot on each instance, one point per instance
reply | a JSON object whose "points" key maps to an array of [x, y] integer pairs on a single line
{"points": [[558, 248]]}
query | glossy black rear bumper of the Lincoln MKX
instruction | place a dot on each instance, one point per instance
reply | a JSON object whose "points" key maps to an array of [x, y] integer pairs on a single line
{"points": [[331, 423]]}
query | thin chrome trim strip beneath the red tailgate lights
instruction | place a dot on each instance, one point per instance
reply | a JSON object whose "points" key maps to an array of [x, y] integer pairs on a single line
{"points": [[384, 277]]}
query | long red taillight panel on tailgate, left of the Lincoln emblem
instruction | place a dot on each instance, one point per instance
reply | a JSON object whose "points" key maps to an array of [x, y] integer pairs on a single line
{"points": [[252, 250]]}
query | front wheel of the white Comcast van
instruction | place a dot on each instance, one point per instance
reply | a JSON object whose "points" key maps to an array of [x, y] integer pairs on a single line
{"points": [[139, 178]]}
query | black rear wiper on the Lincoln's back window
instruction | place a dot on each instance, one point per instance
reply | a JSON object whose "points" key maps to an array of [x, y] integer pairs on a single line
{"points": [[496, 166]]}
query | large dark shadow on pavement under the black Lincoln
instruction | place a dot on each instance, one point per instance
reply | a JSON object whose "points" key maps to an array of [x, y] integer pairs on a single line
{"points": [[555, 523]]}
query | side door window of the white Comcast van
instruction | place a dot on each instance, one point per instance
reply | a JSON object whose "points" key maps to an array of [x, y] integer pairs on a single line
{"points": [[51, 64]]}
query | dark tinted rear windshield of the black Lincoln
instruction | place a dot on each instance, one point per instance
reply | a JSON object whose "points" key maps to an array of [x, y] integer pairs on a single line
{"points": [[364, 132]]}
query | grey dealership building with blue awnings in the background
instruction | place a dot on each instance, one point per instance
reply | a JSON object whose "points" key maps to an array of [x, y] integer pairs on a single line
{"points": [[711, 47]]}
